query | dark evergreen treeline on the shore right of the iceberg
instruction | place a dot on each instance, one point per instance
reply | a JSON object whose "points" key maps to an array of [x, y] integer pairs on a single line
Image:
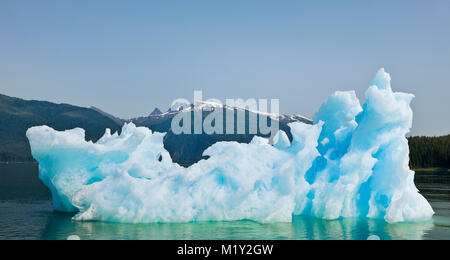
{"points": [[427, 152]]}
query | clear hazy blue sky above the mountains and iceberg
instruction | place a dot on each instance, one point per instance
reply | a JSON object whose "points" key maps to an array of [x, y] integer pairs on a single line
{"points": [[128, 57]]}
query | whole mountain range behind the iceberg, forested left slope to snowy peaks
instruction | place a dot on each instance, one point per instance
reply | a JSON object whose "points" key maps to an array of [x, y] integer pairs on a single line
{"points": [[17, 115]]}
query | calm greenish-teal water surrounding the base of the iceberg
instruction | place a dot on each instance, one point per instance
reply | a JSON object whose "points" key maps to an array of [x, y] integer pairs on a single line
{"points": [[26, 213]]}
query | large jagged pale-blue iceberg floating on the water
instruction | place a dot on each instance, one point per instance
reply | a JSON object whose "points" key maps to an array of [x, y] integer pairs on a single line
{"points": [[352, 162]]}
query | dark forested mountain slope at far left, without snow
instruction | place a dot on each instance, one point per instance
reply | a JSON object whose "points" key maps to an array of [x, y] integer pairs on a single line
{"points": [[17, 115]]}
